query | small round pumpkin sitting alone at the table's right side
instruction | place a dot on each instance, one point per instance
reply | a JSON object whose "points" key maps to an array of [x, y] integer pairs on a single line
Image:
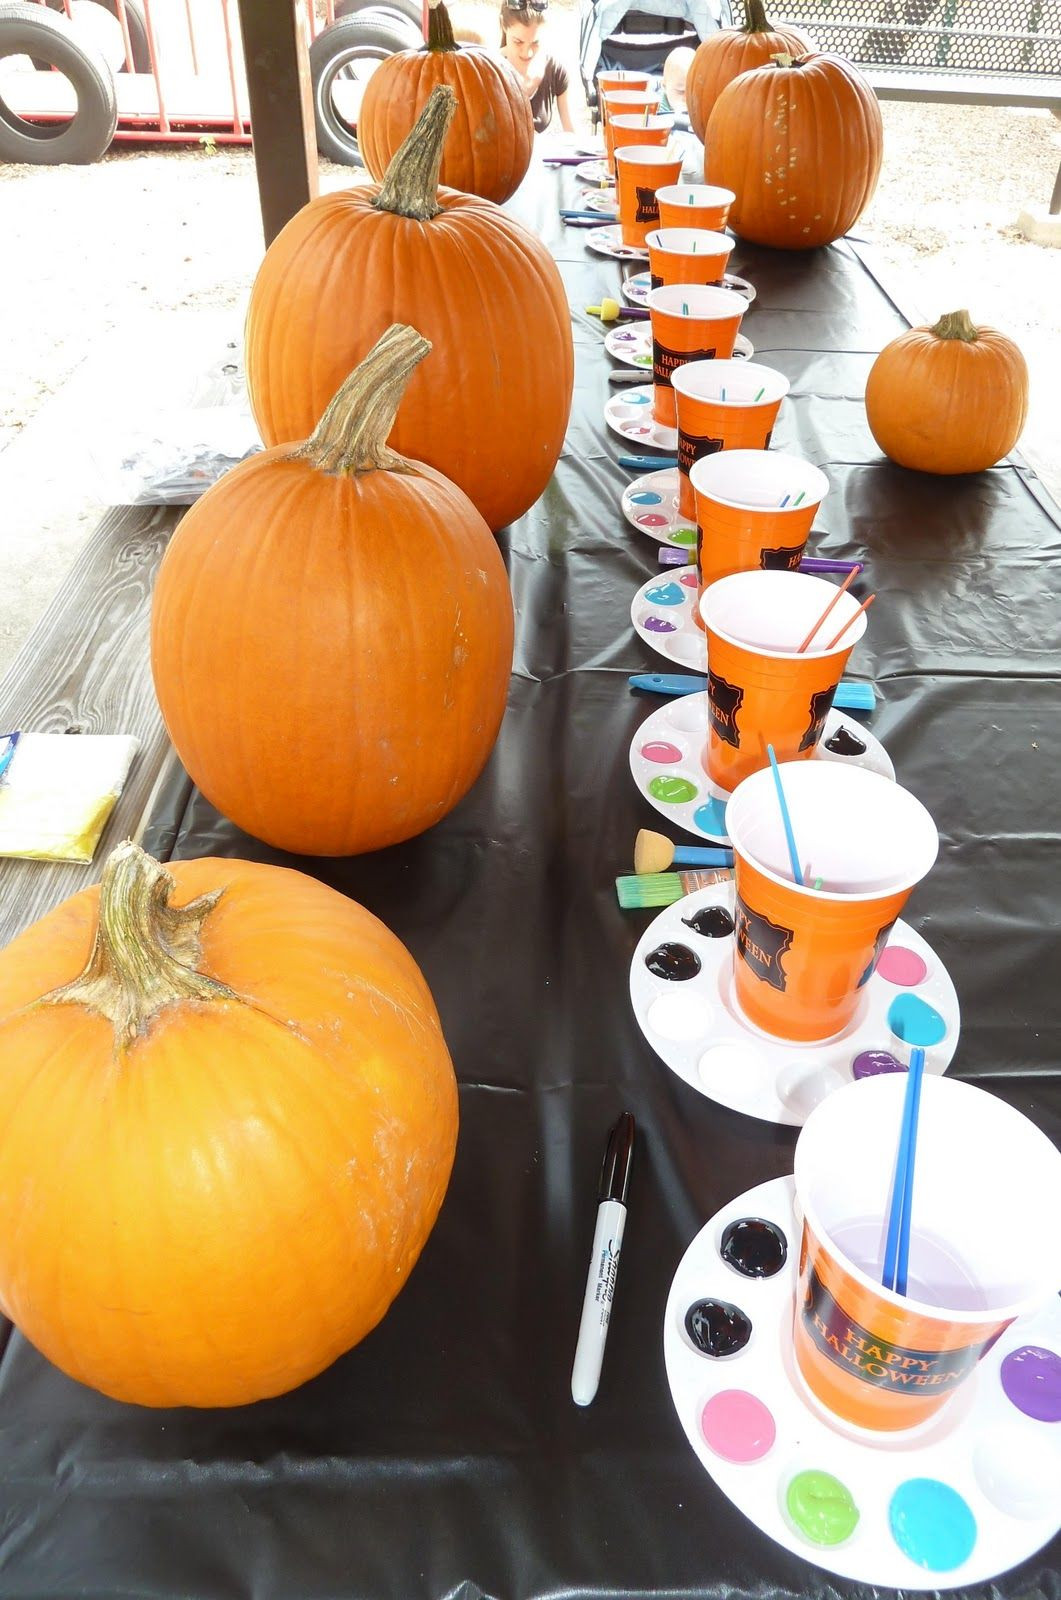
{"points": [[948, 399]]}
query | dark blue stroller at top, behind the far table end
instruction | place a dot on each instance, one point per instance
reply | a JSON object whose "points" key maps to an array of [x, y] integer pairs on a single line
{"points": [[639, 39]]}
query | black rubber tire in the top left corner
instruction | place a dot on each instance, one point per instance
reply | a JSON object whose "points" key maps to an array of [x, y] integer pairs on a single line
{"points": [[33, 31]]}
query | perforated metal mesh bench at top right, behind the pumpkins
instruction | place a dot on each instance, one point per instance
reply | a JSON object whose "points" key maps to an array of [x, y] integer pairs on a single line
{"points": [[964, 52]]}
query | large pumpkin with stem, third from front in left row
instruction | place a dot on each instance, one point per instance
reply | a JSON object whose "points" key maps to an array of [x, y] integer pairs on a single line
{"points": [[492, 407]]}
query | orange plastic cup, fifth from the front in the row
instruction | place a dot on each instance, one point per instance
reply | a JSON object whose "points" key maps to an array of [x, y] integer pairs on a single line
{"points": [[723, 406]]}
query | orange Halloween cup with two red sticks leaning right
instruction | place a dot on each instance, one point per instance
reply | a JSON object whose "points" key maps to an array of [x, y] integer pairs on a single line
{"points": [[759, 689]]}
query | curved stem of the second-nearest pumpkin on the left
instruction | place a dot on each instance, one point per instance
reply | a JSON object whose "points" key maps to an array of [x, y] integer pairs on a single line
{"points": [[353, 433]]}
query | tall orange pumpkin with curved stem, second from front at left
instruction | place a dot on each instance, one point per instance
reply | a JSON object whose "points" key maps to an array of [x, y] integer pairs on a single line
{"points": [[332, 633]]}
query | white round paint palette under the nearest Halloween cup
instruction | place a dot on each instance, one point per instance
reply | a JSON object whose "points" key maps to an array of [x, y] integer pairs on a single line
{"points": [[756, 1431]]}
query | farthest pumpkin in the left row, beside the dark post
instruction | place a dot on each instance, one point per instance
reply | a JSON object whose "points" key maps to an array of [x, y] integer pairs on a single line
{"points": [[489, 148]]}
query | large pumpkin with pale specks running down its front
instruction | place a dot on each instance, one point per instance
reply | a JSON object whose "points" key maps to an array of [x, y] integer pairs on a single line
{"points": [[799, 143]]}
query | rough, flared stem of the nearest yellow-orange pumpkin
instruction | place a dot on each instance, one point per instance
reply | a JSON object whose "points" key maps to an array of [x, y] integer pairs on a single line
{"points": [[146, 953]]}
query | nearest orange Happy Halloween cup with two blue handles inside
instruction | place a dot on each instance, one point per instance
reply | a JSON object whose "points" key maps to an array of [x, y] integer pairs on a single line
{"points": [[889, 1362]]}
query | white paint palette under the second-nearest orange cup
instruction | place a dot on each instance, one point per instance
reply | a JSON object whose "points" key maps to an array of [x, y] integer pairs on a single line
{"points": [[697, 1028]]}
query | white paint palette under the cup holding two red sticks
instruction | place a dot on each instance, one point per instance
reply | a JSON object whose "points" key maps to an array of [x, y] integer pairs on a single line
{"points": [[667, 762]]}
